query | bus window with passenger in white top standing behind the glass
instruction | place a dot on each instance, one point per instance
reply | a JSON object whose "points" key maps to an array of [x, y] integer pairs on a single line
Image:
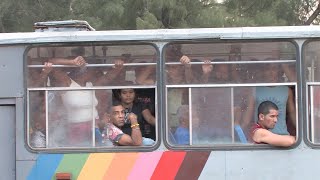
{"points": [[76, 84]]}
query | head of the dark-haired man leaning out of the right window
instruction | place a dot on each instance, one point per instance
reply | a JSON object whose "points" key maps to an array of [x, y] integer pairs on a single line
{"points": [[268, 114]]}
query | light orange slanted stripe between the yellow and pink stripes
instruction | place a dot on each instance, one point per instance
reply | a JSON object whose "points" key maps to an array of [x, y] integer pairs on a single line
{"points": [[121, 166]]}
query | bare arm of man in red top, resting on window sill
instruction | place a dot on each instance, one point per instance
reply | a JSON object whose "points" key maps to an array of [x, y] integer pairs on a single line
{"points": [[265, 136]]}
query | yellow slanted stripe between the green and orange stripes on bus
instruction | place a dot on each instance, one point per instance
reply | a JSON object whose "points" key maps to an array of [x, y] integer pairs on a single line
{"points": [[96, 166]]}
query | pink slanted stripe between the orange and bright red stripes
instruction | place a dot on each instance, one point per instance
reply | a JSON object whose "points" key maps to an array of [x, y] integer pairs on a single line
{"points": [[145, 165]]}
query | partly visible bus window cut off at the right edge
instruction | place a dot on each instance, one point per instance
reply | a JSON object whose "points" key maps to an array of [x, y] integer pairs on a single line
{"points": [[312, 66]]}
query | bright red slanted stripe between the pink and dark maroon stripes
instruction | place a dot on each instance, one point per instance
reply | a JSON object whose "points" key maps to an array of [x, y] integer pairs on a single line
{"points": [[168, 165]]}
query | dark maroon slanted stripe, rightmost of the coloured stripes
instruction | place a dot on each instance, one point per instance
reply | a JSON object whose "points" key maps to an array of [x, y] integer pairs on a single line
{"points": [[192, 165]]}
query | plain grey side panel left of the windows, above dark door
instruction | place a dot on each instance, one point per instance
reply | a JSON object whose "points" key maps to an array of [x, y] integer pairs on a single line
{"points": [[11, 71]]}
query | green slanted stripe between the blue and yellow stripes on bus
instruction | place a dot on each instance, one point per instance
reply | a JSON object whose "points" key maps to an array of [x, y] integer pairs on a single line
{"points": [[72, 163]]}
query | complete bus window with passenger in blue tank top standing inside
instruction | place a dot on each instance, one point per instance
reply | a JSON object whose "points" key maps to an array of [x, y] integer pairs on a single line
{"points": [[222, 85]]}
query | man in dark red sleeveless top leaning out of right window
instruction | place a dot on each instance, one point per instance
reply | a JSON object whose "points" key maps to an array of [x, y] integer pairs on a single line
{"points": [[267, 119]]}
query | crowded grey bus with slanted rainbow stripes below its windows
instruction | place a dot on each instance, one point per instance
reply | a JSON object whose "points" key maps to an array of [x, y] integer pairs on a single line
{"points": [[201, 85]]}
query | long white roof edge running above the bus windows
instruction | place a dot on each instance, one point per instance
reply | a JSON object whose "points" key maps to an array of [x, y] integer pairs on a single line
{"points": [[245, 33]]}
